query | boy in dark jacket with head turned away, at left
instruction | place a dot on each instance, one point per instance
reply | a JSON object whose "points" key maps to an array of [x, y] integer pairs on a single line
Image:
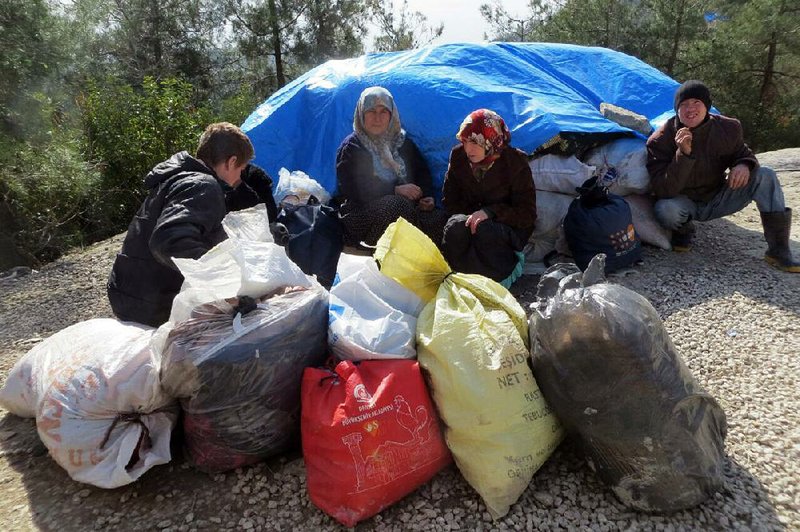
{"points": [[181, 217]]}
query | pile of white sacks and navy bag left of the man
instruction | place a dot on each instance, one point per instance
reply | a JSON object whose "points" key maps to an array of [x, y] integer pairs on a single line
{"points": [[595, 201]]}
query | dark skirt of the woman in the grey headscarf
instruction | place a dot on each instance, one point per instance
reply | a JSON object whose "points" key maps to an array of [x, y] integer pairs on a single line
{"points": [[366, 223]]}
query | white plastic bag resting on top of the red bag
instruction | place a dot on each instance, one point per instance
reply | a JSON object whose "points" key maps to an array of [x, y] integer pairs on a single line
{"points": [[372, 317]]}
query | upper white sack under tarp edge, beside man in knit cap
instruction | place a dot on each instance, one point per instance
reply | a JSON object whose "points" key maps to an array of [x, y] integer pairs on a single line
{"points": [[629, 157]]}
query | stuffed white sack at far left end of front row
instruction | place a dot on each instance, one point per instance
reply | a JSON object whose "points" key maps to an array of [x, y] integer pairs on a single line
{"points": [[94, 390]]}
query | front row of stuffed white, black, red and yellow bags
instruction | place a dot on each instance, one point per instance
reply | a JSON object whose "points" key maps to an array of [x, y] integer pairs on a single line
{"points": [[401, 368]]}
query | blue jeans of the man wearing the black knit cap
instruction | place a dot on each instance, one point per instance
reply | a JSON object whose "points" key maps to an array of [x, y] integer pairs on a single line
{"points": [[763, 188]]}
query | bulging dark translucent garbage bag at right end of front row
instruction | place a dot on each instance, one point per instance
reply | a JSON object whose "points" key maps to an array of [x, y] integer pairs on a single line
{"points": [[607, 367]]}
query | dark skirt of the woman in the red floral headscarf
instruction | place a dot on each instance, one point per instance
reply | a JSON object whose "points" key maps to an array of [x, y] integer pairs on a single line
{"points": [[491, 251]]}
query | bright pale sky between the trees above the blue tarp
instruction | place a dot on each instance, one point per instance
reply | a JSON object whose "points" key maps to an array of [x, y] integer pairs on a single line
{"points": [[461, 18]]}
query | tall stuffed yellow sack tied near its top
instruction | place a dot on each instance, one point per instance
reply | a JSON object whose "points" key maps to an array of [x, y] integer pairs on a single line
{"points": [[472, 340]]}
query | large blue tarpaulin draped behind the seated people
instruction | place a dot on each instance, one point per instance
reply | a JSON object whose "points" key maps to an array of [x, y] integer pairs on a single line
{"points": [[539, 89]]}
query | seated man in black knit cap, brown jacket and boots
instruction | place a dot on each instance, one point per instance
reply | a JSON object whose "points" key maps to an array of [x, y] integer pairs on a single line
{"points": [[701, 169]]}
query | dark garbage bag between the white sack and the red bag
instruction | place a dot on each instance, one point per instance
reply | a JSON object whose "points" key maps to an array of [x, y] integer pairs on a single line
{"points": [[237, 366]]}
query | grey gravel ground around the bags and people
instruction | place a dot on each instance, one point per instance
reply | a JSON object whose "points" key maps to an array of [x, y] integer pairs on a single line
{"points": [[733, 318]]}
